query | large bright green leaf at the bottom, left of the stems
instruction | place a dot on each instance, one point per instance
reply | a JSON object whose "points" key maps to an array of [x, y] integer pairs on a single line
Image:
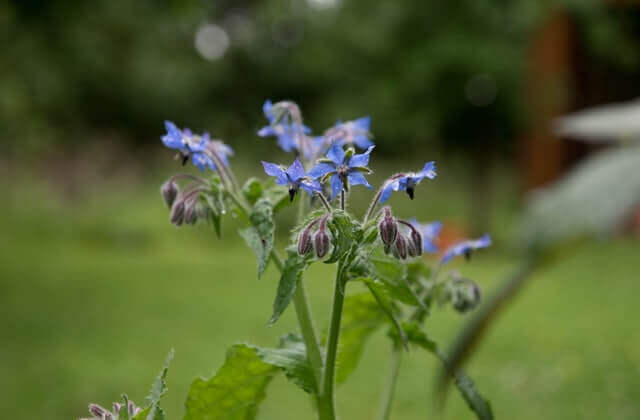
{"points": [[236, 389]]}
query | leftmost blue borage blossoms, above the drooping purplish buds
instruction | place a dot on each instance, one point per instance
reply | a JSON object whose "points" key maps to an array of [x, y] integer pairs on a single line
{"points": [[195, 147]]}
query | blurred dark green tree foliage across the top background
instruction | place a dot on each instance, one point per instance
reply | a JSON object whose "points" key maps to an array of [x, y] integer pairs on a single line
{"points": [[431, 74]]}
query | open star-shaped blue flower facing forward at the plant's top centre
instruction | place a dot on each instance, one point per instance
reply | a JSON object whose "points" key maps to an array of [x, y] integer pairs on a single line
{"points": [[344, 168]]}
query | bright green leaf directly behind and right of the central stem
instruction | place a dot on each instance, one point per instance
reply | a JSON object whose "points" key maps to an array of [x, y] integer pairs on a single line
{"points": [[361, 316]]}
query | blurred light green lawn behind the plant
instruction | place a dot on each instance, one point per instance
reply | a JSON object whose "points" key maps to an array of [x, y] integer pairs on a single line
{"points": [[94, 292]]}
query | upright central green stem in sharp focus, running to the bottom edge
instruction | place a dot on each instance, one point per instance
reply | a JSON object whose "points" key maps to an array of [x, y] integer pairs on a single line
{"points": [[328, 380]]}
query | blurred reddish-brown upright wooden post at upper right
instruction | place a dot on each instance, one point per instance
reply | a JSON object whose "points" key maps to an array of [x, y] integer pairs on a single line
{"points": [[547, 97]]}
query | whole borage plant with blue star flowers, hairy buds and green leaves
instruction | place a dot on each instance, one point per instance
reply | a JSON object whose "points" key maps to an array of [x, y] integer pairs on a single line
{"points": [[379, 251]]}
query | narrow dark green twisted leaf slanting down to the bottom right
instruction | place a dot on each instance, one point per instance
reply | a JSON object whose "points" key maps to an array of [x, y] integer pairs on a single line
{"points": [[464, 384]]}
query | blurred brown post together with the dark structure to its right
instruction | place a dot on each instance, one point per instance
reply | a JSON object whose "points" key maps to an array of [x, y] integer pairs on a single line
{"points": [[562, 77]]}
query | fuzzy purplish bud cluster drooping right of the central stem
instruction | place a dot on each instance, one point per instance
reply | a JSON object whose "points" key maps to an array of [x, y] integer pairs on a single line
{"points": [[395, 241]]}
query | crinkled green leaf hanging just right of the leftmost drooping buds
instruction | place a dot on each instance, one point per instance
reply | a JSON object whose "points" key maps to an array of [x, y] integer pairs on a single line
{"points": [[260, 235]]}
